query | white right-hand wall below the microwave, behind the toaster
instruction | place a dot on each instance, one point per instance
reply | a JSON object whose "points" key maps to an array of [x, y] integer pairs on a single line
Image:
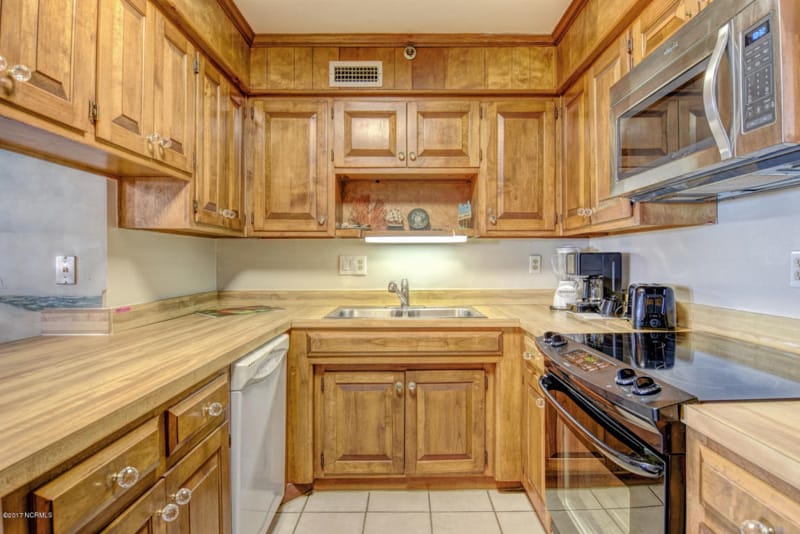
{"points": [[742, 262]]}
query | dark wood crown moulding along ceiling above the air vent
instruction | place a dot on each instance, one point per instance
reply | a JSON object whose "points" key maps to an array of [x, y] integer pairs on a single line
{"points": [[380, 40]]}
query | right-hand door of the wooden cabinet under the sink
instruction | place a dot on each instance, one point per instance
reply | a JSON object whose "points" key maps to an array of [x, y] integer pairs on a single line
{"points": [[445, 422]]}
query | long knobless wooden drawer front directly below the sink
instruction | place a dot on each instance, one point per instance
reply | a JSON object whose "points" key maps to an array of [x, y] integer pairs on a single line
{"points": [[401, 342]]}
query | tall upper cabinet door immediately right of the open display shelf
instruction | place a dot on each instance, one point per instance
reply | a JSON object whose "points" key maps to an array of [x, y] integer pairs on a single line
{"points": [[521, 171]]}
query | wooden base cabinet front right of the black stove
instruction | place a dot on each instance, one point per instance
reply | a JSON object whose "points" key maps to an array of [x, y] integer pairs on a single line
{"points": [[724, 490]]}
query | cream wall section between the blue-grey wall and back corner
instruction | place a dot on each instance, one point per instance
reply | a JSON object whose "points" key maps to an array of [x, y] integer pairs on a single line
{"points": [[145, 266]]}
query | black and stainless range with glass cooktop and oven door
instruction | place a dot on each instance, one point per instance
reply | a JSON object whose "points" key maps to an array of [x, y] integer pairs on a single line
{"points": [[615, 450]]}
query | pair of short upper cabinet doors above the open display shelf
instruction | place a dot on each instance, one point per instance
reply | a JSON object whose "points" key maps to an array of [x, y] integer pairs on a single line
{"points": [[399, 134]]}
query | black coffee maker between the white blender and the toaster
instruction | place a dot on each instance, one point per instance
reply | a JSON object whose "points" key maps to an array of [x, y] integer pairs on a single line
{"points": [[599, 278]]}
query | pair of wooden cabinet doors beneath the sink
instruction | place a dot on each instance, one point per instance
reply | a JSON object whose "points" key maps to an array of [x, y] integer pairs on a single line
{"points": [[415, 422]]}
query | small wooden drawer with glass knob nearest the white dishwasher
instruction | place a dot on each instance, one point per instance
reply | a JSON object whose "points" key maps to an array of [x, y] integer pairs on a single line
{"points": [[193, 416]]}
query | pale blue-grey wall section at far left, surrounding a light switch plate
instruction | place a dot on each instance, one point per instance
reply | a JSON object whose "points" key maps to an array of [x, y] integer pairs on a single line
{"points": [[47, 210]]}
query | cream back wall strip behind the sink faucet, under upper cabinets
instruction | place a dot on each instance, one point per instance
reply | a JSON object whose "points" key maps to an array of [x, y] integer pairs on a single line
{"points": [[252, 264]]}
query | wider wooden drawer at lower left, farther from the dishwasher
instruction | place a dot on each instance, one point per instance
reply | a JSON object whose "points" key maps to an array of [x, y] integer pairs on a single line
{"points": [[92, 487]]}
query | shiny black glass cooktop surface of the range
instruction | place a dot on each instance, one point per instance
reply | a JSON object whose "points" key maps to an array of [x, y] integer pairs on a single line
{"points": [[709, 367]]}
